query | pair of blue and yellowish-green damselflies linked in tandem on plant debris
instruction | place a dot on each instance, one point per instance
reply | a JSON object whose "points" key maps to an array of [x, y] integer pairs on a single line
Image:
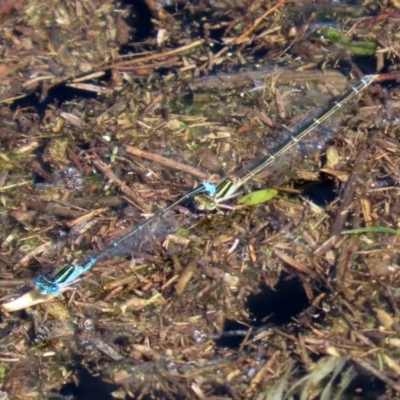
{"points": [[207, 196]]}
